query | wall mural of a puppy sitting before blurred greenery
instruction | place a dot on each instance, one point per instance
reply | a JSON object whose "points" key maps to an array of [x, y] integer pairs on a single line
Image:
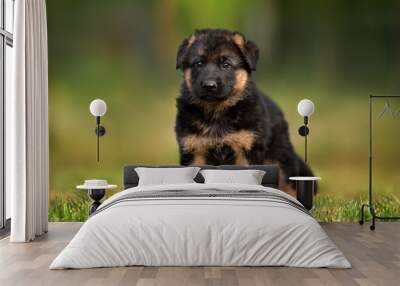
{"points": [[125, 53]]}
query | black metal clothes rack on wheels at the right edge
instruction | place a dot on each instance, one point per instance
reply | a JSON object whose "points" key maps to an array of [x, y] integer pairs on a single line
{"points": [[370, 205]]}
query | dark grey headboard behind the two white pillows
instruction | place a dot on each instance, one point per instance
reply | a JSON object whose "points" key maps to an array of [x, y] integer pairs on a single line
{"points": [[270, 179]]}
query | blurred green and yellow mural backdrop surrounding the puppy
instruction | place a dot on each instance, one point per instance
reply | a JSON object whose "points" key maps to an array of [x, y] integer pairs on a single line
{"points": [[335, 53]]}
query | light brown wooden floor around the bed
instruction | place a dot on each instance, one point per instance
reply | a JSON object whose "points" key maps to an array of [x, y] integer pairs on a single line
{"points": [[375, 257]]}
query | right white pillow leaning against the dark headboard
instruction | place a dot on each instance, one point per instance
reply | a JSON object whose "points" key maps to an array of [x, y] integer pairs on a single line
{"points": [[248, 177]]}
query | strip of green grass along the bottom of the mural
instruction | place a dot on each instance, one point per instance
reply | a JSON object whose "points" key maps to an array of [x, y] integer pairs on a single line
{"points": [[327, 208]]}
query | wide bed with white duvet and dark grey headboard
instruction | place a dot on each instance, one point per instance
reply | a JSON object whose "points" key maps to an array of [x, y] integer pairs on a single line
{"points": [[197, 224]]}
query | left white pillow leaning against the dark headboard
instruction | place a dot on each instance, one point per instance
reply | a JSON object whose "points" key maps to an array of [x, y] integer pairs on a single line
{"points": [[165, 176]]}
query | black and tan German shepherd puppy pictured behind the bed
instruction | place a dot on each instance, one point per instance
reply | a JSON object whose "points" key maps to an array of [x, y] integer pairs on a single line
{"points": [[222, 117]]}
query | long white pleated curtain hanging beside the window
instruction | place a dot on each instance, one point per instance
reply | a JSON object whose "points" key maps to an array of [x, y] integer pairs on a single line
{"points": [[27, 145]]}
